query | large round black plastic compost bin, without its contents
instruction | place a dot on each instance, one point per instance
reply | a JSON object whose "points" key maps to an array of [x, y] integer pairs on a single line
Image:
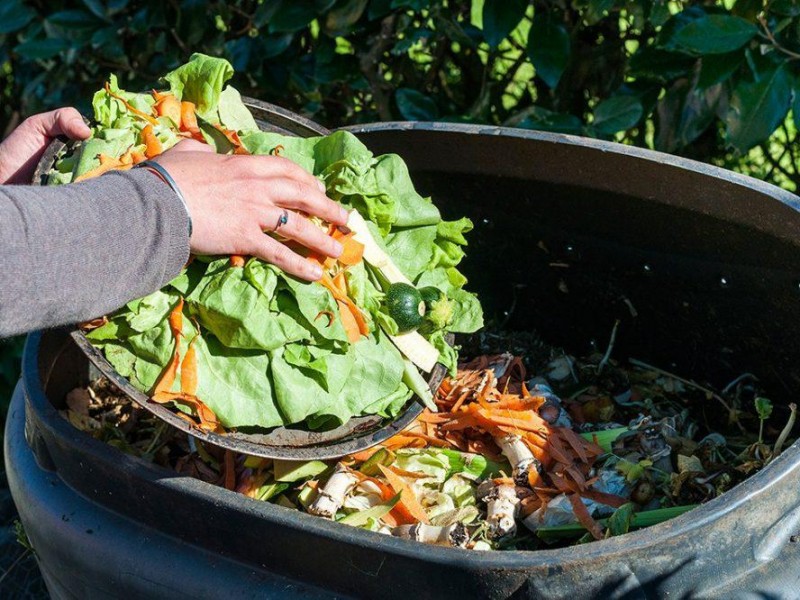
{"points": [[709, 259]]}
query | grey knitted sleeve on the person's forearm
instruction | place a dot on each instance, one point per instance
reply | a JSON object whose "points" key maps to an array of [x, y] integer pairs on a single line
{"points": [[75, 252]]}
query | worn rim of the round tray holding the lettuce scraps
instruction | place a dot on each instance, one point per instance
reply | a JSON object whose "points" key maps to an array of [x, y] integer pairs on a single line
{"points": [[288, 443]]}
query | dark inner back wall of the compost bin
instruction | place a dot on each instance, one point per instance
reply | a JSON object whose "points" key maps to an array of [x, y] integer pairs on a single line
{"points": [[716, 292]]}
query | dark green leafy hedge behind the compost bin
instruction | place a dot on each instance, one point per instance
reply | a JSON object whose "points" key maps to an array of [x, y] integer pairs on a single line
{"points": [[712, 80]]}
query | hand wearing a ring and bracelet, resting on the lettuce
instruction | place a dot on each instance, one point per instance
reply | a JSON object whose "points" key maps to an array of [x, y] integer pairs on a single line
{"points": [[234, 199]]}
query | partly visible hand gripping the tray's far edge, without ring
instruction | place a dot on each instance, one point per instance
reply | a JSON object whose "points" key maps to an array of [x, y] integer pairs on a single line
{"points": [[21, 150]]}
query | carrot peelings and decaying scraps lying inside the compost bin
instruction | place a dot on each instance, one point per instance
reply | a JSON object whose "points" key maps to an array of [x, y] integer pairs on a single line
{"points": [[582, 450]]}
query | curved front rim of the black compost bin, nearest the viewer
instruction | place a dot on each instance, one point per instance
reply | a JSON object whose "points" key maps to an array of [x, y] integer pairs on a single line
{"points": [[656, 535]]}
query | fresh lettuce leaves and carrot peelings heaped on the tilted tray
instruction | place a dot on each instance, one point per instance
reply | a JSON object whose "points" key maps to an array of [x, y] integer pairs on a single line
{"points": [[234, 342]]}
